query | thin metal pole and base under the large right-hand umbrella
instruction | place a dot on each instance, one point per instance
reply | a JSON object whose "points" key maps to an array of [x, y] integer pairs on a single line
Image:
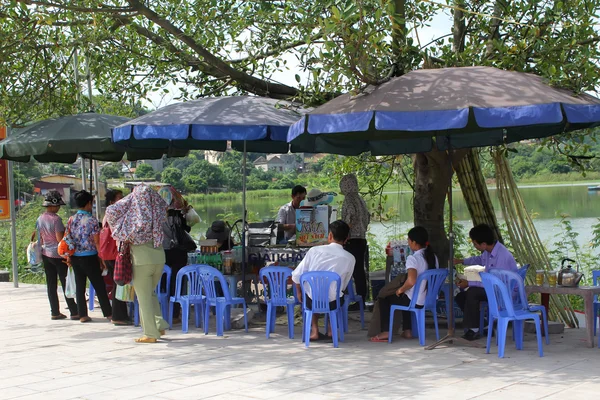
{"points": [[451, 335]]}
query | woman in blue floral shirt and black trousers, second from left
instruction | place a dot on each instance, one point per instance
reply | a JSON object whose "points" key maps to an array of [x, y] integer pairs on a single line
{"points": [[85, 232]]}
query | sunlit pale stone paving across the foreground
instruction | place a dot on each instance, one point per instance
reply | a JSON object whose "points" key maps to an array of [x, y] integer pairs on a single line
{"points": [[44, 359]]}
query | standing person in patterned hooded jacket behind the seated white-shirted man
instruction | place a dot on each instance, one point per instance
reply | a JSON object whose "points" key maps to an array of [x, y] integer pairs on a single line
{"points": [[356, 214]]}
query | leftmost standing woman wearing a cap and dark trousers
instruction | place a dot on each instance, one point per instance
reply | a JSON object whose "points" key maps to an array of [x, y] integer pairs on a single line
{"points": [[50, 228]]}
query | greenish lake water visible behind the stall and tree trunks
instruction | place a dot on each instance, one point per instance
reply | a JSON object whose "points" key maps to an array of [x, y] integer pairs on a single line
{"points": [[546, 203]]}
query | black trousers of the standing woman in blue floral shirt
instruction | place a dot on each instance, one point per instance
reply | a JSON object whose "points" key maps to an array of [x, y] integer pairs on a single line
{"points": [[88, 267]]}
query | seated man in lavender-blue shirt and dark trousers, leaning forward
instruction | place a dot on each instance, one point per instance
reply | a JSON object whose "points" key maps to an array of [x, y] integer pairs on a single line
{"points": [[493, 255]]}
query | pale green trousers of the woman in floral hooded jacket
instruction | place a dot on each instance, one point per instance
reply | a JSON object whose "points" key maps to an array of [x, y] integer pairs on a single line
{"points": [[146, 276]]}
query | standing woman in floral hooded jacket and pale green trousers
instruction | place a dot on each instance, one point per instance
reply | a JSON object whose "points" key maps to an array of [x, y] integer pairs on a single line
{"points": [[138, 219]]}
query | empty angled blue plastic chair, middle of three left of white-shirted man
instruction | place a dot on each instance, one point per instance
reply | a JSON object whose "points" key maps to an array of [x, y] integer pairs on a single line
{"points": [[222, 304]]}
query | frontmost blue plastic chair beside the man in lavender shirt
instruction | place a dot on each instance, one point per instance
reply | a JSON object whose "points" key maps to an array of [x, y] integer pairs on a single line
{"points": [[503, 311]]}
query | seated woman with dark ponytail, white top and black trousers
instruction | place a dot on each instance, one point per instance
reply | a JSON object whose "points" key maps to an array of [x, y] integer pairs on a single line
{"points": [[422, 259]]}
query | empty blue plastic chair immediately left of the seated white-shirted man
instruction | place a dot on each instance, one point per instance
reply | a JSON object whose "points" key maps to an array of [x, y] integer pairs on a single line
{"points": [[274, 280]]}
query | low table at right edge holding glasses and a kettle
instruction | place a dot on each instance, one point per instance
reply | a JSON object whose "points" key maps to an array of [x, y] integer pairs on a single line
{"points": [[549, 286]]}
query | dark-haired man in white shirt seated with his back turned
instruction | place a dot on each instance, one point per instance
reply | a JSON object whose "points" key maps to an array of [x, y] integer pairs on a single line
{"points": [[331, 257]]}
